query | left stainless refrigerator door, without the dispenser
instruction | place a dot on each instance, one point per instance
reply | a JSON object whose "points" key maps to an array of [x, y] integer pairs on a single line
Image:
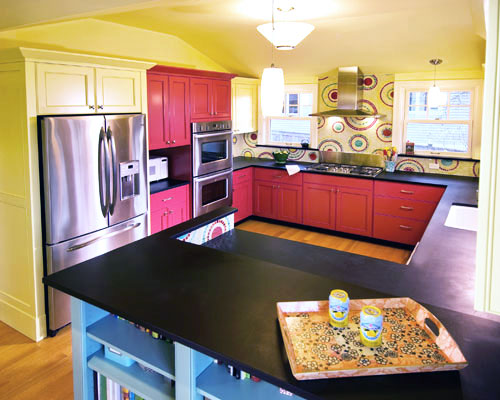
{"points": [[75, 169]]}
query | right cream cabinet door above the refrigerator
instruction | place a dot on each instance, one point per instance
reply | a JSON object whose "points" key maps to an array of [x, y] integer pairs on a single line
{"points": [[118, 91]]}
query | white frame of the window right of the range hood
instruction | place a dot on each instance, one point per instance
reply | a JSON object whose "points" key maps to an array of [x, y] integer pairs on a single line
{"points": [[401, 90]]}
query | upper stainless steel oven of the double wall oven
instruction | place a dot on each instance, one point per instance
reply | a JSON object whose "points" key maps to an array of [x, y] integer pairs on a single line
{"points": [[212, 152]]}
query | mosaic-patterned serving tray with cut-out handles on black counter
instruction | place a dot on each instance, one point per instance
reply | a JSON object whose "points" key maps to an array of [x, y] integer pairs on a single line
{"points": [[316, 350]]}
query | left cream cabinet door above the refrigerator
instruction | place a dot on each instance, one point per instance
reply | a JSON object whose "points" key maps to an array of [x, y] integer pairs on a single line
{"points": [[65, 89]]}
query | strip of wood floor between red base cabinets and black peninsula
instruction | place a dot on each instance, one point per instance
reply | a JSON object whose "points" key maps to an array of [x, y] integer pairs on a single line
{"points": [[326, 240]]}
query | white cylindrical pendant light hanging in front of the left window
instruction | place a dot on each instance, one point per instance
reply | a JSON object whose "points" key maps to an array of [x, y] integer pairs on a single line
{"points": [[272, 87]]}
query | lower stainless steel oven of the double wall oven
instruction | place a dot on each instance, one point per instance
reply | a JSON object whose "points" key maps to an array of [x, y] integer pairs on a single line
{"points": [[212, 191]]}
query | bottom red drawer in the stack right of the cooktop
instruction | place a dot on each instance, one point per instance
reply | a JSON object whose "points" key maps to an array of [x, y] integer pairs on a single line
{"points": [[401, 230]]}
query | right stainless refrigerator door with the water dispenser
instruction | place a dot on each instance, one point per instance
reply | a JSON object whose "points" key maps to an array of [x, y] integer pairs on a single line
{"points": [[126, 140]]}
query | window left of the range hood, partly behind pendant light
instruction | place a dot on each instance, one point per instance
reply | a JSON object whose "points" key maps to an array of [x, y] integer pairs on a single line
{"points": [[293, 126]]}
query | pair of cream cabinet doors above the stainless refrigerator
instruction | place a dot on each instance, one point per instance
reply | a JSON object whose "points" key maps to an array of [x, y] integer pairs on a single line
{"points": [[70, 89]]}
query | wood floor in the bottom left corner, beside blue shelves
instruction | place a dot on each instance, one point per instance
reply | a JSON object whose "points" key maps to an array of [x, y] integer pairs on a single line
{"points": [[30, 370]]}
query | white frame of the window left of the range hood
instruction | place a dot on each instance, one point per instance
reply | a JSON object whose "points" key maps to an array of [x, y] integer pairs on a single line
{"points": [[265, 122]]}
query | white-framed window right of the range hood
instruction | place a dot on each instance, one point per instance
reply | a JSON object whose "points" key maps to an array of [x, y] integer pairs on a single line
{"points": [[451, 130]]}
